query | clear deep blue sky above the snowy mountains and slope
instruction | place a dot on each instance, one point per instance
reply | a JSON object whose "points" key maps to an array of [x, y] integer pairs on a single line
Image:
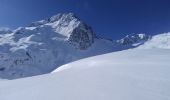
{"points": [[109, 18]]}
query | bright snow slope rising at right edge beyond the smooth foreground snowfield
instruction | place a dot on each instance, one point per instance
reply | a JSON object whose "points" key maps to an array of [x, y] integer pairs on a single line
{"points": [[158, 41]]}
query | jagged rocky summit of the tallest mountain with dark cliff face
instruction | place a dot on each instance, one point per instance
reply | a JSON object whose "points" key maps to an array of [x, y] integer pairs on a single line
{"points": [[70, 26]]}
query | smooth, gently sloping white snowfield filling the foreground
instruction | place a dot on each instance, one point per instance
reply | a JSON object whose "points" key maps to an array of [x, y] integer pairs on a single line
{"points": [[126, 75]]}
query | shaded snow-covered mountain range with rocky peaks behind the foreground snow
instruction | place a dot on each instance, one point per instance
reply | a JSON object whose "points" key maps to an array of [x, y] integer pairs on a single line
{"points": [[45, 45]]}
